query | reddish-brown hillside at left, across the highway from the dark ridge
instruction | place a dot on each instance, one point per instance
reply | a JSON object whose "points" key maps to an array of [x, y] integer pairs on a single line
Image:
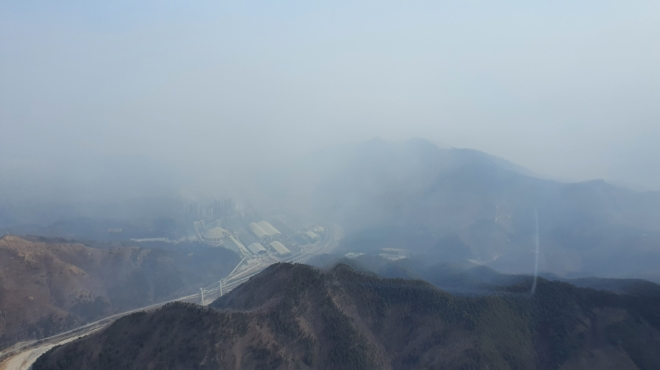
{"points": [[47, 287]]}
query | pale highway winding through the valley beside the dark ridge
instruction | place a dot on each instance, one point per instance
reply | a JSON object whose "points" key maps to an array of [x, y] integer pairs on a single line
{"points": [[22, 355]]}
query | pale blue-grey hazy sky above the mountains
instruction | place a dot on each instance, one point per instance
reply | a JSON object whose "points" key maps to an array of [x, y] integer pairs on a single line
{"points": [[568, 89]]}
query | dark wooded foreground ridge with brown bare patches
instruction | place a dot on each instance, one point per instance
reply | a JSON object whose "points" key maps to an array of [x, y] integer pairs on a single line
{"points": [[299, 317]]}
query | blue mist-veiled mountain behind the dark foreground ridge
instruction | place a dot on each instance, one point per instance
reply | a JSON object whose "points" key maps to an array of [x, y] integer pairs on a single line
{"points": [[449, 204]]}
